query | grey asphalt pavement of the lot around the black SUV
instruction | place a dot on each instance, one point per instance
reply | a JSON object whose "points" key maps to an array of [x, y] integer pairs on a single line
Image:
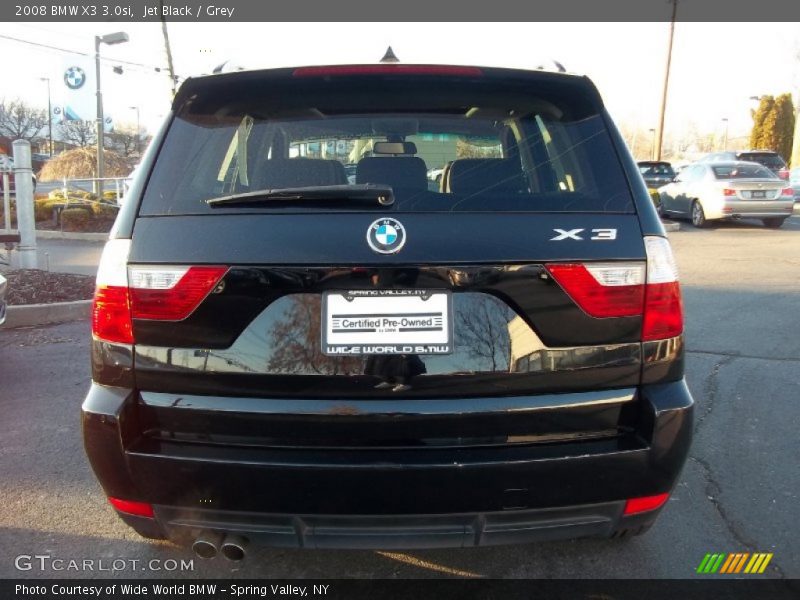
{"points": [[738, 492]]}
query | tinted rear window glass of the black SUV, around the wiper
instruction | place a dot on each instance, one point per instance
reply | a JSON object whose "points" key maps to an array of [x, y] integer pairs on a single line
{"points": [[465, 146]]}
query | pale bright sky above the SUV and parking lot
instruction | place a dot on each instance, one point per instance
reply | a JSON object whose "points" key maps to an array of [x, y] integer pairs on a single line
{"points": [[710, 79]]}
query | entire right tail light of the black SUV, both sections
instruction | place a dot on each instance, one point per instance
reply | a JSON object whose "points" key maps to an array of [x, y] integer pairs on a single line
{"points": [[650, 290]]}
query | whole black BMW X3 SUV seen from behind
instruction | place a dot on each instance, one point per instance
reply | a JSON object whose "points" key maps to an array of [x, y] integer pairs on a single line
{"points": [[284, 357]]}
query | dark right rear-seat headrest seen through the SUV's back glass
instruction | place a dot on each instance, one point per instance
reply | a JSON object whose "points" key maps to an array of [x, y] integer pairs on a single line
{"points": [[475, 175]]}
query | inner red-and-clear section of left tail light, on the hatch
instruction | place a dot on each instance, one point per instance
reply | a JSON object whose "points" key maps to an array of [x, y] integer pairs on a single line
{"points": [[170, 293]]}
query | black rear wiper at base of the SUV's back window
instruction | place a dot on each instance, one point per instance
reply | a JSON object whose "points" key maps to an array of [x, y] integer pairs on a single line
{"points": [[367, 193]]}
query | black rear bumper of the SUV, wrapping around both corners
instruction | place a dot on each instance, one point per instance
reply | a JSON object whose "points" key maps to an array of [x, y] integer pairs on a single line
{"points": [[390, 497]]}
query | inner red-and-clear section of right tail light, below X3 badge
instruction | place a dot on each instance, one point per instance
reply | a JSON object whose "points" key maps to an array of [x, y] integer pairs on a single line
{"points": [[603, 290]]}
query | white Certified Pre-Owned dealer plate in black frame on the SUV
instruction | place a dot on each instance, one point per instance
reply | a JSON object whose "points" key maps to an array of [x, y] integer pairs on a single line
{"points": [[363, 322]]}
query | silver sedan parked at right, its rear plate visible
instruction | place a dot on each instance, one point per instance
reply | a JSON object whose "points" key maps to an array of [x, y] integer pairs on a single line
{"points": [[727, 190]]}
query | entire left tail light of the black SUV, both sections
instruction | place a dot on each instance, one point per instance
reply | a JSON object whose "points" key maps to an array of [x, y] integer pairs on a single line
{"points": [[124, 293]]}
